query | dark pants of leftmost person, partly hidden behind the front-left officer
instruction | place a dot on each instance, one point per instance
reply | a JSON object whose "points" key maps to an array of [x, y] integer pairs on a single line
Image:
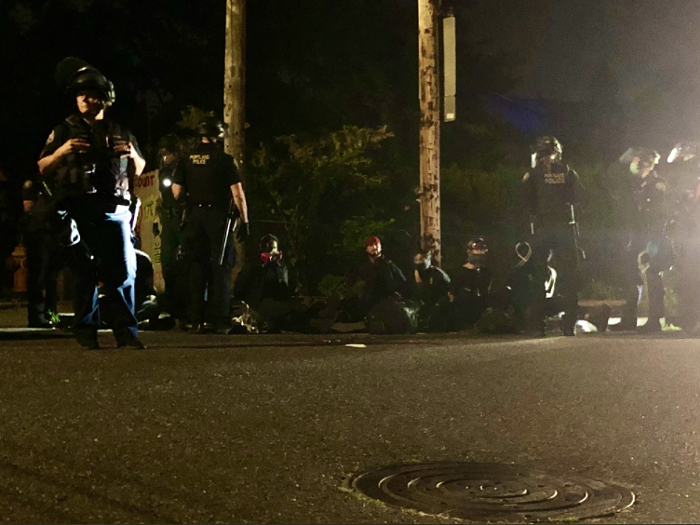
{"points": [[44, 261]]}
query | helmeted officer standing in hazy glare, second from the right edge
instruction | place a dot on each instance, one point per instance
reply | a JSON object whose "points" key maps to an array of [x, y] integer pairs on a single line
{"points": [[647, 250]]}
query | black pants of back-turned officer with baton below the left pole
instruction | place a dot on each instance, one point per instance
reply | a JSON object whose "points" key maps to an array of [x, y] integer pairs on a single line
{"points": [[210, 282]]}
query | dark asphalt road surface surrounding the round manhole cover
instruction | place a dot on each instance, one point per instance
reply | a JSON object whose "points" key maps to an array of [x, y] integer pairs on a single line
{"points": [[266, 429]]}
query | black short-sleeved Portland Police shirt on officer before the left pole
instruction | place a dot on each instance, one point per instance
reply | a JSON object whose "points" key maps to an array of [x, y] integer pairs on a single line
{"points": [[206, 174]]}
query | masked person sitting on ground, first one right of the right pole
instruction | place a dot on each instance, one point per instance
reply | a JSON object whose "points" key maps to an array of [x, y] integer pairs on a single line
{"points": [[471, 285]]}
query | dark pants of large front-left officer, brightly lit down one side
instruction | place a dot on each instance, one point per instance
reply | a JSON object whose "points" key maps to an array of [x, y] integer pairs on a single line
{"points": [[106, 234]]}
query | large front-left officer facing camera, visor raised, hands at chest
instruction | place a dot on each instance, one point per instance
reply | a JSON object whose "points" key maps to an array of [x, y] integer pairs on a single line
{"points": [[89, 156]]}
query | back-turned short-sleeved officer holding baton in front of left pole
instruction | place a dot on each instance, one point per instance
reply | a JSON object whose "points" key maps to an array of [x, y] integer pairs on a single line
{"points": [[209, 178]]}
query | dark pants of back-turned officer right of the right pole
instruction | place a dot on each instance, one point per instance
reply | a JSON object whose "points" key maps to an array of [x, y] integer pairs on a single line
{"points": [[561, 246]]}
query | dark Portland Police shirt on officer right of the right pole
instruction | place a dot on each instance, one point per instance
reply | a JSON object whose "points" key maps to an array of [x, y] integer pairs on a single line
{"points": [[550, 194]]}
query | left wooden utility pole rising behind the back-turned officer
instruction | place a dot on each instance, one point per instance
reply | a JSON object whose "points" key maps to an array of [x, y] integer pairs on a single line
{"points": [[234, 81]]}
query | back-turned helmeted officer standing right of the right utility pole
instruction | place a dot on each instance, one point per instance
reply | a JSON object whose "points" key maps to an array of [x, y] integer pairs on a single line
{"points": [[551, 191]]}
